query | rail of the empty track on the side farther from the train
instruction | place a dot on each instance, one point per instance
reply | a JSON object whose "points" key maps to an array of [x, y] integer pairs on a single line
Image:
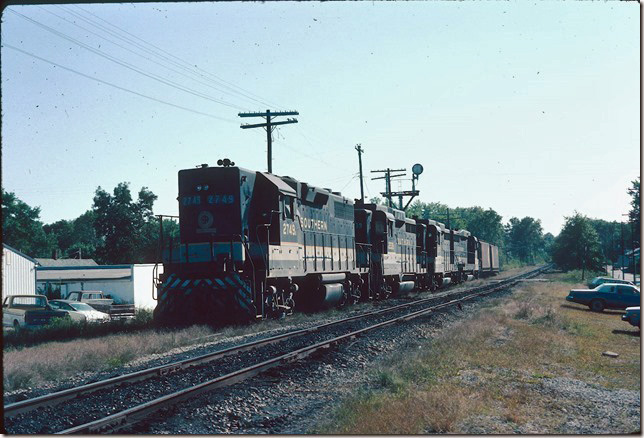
{"points": [[118, 421]]}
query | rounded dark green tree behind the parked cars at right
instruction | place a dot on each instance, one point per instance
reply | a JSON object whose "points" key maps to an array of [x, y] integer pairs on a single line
{"points": [[577, 246]]}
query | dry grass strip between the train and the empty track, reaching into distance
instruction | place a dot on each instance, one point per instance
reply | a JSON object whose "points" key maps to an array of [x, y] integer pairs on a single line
{"points": [[45, 356]]}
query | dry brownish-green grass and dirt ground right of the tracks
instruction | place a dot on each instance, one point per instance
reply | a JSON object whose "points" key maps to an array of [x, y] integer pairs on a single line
{"points": [[493, 372]]}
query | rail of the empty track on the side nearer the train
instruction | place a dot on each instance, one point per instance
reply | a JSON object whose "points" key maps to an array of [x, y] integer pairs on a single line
{"points": [[58, 397]]}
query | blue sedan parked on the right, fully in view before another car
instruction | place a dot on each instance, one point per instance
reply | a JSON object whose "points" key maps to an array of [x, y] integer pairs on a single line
{"points": [[606, 296]]}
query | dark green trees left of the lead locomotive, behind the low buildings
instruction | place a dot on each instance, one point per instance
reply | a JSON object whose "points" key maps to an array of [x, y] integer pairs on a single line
{"points": [[116, 230]]}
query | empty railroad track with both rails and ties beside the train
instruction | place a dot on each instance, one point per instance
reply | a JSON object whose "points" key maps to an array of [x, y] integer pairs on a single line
{"points": [[234, 370]]}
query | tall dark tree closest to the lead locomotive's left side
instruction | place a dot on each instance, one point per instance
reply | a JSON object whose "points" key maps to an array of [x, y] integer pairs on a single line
{"points": [[122, 224]]}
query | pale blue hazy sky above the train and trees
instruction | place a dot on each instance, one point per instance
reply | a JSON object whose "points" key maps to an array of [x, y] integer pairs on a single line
{"points": [[531, 109]]}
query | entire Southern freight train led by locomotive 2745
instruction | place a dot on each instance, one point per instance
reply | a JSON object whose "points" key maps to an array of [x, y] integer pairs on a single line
{"points": [[253, 244]]}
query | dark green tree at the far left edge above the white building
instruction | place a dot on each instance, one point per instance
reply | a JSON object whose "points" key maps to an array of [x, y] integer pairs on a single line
{"points": [[22, 228]]}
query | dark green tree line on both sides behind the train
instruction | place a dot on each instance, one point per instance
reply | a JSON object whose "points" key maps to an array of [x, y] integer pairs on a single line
{"points": [[119, 229]]}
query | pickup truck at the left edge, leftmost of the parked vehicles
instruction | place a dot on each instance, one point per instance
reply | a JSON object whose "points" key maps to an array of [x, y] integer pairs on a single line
{"points": [[28, 311]]}
